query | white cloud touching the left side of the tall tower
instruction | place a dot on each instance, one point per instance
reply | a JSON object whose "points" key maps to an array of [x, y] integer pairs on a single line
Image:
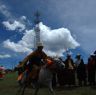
{"points": [[24, 45]]}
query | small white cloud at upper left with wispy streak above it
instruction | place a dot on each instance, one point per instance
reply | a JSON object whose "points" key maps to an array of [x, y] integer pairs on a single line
{"points": [[12, 24]]}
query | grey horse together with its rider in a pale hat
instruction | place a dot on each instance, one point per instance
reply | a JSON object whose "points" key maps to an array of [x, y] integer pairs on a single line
{"points": [[38, 73]]}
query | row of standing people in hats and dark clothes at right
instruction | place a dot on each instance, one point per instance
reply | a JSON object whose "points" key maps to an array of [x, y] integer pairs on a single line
{"points": [[77, 72]]}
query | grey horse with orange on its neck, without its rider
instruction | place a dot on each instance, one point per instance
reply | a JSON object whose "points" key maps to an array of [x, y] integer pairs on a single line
{"points": [[44, 78]]}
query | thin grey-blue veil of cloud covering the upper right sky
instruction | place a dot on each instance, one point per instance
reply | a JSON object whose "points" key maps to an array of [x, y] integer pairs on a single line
{"points": [[79, 16]]}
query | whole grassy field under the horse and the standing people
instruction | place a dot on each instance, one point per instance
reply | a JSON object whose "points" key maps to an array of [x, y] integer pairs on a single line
{"points": [[9, 86]]}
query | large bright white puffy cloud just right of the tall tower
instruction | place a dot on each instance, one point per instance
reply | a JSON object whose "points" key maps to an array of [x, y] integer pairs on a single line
{"points": [[58, 40]]}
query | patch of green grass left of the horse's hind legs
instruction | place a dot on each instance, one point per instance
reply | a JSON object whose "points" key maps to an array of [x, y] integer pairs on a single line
{"points": [[8, 85]]}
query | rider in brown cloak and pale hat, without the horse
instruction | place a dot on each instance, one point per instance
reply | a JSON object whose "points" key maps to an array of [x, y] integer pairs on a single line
{"points": [[33, 62]]}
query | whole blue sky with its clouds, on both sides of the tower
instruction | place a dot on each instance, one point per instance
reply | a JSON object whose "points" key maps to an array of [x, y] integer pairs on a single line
{"points": [[66, 18]]}
